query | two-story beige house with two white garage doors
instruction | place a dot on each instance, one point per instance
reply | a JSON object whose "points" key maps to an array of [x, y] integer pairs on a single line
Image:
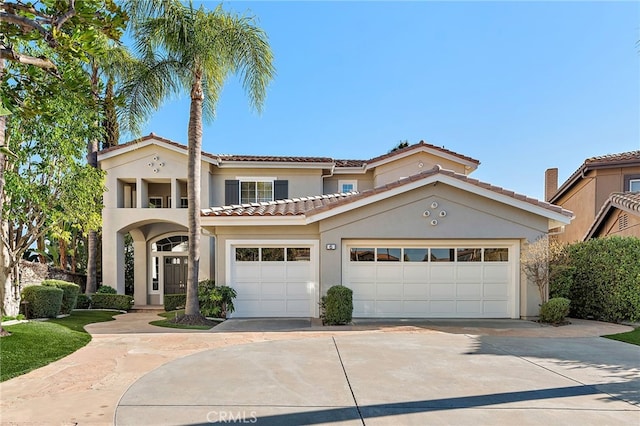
{"points": [[408, 231]]}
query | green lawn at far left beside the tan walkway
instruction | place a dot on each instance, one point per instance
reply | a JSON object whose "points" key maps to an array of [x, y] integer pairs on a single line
{"points": [[35, 344]]}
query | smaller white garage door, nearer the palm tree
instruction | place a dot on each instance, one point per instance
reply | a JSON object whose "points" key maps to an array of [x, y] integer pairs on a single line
{"points": [[273, 281]]}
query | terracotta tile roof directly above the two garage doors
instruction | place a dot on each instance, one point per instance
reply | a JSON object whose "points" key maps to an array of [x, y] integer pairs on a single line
{"points": [[313, 205]]}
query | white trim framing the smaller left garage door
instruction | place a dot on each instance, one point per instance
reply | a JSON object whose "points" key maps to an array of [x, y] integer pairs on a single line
{"points": [[315, 261]]}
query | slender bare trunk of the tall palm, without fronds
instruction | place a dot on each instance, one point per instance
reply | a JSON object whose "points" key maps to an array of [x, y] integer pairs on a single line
{"points": [[192, 307]]}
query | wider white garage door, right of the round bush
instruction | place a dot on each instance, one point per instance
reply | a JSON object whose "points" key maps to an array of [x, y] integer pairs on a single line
{"points": [[436, 279]]}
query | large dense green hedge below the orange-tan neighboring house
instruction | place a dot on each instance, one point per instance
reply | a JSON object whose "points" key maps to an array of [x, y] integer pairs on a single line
{"points": [[604, 279]]}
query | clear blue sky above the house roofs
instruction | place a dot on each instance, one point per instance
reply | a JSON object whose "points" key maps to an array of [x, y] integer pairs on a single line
{"points": [[519, 86]]}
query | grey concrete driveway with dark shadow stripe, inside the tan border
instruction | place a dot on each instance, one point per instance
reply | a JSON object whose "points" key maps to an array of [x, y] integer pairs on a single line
{"points": [[415, 376]]}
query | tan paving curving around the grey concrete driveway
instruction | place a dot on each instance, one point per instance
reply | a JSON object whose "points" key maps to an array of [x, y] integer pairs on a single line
{"points": [[85, 387]]}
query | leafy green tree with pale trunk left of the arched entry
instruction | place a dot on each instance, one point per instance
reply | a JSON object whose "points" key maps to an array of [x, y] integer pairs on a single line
{"points": [[42, 194]]}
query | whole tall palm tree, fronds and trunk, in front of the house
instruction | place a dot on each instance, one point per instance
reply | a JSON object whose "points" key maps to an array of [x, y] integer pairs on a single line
{"points": [[194, 50]]}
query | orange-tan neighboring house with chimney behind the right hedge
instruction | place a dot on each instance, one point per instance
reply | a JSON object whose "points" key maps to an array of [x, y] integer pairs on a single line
{"points": [[588, 192]]}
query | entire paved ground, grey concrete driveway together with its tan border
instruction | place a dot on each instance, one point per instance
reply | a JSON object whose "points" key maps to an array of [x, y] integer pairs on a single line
{"points": [[372, 373]]}
